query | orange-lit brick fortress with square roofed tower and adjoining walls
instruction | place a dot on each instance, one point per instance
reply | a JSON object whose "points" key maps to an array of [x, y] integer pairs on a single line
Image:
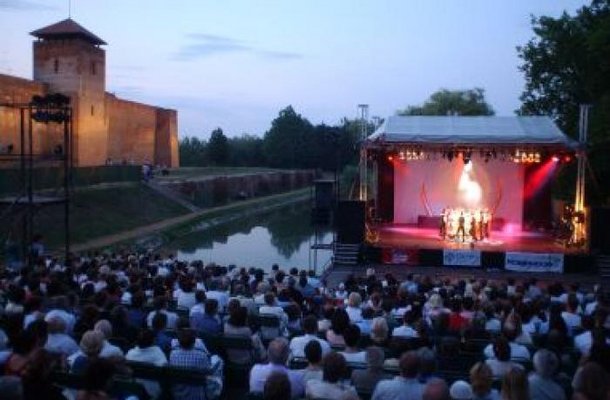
{"points": [[69, 59]]}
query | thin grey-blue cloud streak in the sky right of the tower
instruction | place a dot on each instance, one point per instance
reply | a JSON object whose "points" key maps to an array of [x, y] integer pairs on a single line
{"points": [[204, 45]]}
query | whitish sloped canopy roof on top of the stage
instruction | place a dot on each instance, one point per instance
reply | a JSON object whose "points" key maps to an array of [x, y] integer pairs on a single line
{"points": [[471, 131]]}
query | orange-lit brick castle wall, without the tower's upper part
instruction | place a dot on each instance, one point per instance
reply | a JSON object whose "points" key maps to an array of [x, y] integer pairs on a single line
{"points": [[115, 128]]}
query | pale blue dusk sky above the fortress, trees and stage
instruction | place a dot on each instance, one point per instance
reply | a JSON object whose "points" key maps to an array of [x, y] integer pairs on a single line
{"points": [[236, 63]]}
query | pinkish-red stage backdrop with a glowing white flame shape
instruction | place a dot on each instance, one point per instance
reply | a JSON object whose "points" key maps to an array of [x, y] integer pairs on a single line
{"points": [[433, 185]]}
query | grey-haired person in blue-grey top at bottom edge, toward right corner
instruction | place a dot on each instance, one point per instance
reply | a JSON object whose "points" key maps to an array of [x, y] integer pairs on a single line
{"points": [[541, 384]]}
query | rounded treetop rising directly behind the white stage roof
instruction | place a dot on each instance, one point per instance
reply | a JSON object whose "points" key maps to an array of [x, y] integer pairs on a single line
{"points": [[450, 102]]}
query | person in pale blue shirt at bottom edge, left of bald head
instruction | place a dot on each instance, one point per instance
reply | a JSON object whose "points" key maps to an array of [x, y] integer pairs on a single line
{"points": [[404, 386]]}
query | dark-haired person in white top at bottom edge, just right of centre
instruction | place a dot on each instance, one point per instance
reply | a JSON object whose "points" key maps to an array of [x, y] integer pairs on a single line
{"points": [[334, 370]]}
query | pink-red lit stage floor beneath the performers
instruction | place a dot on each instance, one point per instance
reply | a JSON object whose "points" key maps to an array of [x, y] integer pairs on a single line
{"points": [[401, 236]]}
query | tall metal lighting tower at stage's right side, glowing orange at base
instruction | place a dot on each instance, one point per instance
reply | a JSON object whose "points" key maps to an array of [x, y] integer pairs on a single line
{"points": [[579, 236]]}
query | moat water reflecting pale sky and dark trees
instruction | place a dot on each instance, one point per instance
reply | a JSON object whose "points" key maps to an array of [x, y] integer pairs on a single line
{"points": [[281, 236]]}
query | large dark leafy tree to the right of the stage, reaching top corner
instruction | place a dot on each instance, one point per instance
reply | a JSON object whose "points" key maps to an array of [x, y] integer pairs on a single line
{"points": [[566, 64]]}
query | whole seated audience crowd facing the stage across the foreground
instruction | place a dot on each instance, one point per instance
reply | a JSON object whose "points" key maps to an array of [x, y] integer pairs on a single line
{"points": [[287, 335]]}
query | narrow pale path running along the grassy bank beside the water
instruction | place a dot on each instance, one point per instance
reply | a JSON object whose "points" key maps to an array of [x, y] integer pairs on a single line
{"points": [[142, 231]]}
